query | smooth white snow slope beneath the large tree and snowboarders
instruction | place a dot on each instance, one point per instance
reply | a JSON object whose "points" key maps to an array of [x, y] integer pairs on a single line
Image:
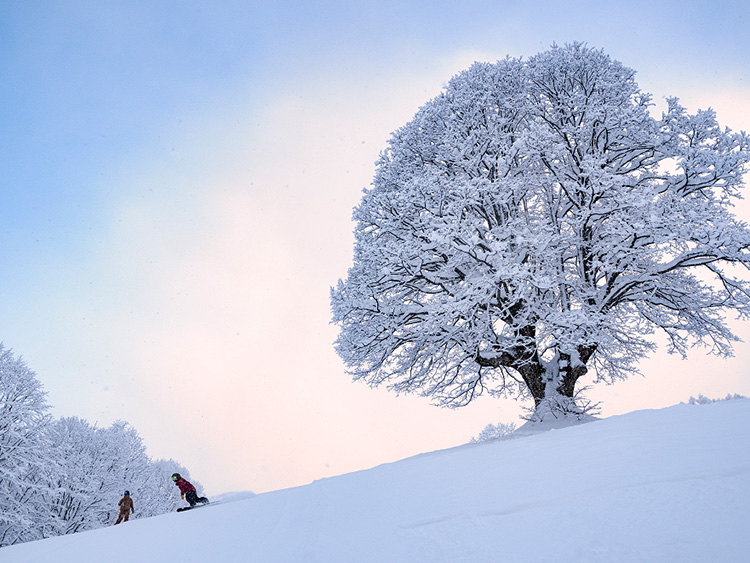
{"points": [[671, 485]]}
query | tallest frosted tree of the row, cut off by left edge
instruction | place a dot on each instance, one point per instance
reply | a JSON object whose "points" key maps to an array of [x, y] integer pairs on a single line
{"points": [[23, 446]]}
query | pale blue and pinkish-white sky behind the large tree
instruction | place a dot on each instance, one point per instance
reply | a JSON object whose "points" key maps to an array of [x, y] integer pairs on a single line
{"points": [[176, 186]]}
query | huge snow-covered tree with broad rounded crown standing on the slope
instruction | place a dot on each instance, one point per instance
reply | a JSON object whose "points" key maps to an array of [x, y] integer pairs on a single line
{"points": [[535, 222]]}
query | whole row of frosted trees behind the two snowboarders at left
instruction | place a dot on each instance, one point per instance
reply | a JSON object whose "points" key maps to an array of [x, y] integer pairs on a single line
{"points": [[61, 476]]}
